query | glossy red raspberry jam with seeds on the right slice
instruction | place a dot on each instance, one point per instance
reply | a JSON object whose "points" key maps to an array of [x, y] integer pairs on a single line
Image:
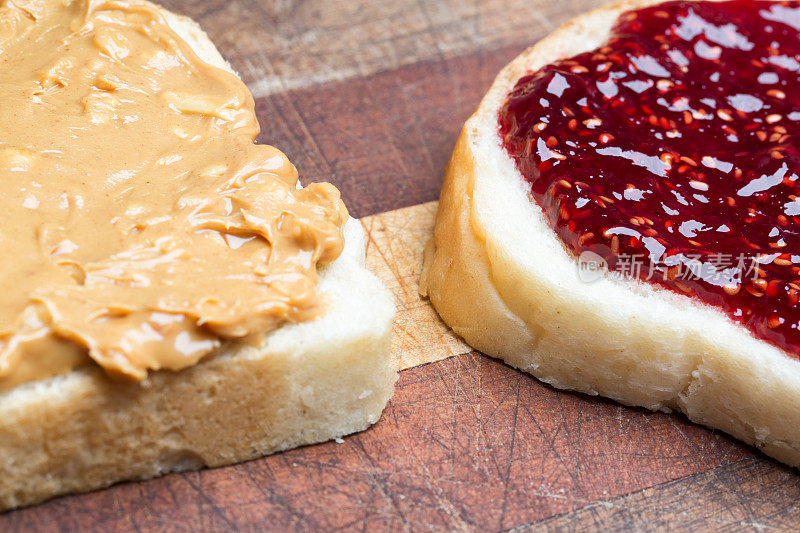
{"points": [[672, 152]]}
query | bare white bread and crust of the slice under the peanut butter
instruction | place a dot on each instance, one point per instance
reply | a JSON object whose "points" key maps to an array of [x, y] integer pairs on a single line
{"points": [[310, 382]]}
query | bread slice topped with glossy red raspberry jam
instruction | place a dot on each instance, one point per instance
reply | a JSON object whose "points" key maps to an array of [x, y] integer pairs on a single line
{"points": [[642, 133]]}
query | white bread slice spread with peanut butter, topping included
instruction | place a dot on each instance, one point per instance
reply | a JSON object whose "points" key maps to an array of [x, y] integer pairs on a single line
{"points": [[172, 297]]}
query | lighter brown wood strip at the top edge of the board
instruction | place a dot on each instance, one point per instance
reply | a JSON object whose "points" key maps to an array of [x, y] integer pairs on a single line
{"points": [[289, 44]]}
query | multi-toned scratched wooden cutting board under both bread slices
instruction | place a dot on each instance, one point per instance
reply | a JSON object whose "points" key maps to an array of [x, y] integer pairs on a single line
{"points": [[371, 94]]}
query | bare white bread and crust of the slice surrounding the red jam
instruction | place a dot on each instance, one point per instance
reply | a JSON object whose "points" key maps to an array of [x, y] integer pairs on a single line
{"points": [[516, 295]]}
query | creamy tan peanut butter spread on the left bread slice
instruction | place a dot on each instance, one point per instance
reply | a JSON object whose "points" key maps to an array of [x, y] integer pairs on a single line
{"points": [[140, 225]]}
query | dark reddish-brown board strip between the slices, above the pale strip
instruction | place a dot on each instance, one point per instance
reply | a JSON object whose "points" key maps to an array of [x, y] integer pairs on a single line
{"points": [[383, 140]]}
